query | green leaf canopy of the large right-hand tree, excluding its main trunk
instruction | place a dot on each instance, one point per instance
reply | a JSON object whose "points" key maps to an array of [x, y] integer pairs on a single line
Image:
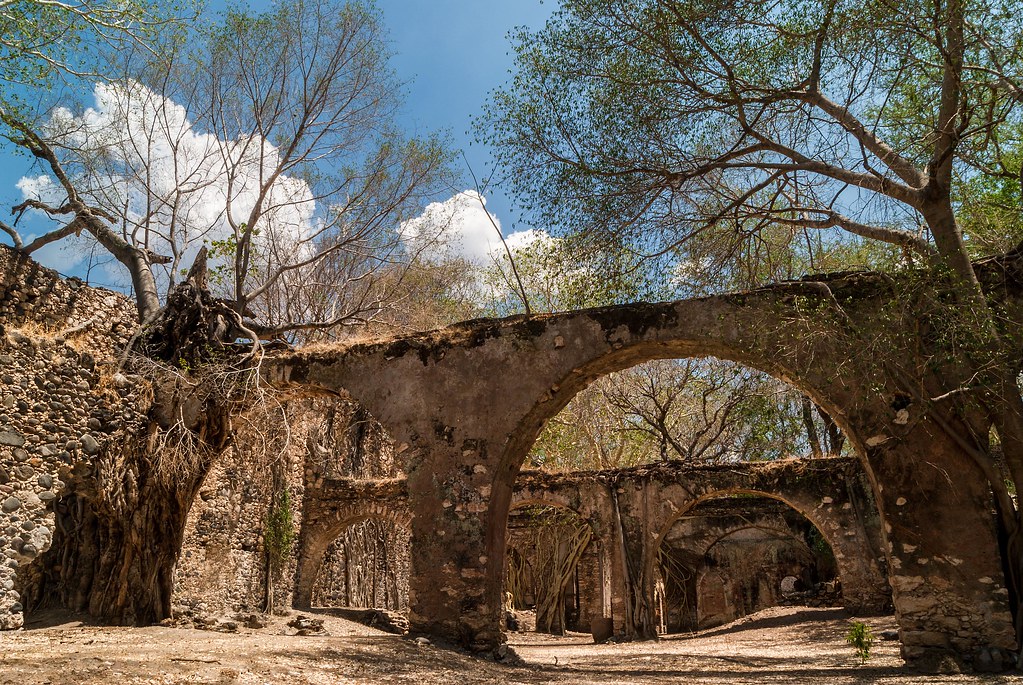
{"points": [[676, 130]]}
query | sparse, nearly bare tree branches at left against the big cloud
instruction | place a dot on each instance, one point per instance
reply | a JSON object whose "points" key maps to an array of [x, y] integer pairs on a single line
{"points": [[272, 141]]}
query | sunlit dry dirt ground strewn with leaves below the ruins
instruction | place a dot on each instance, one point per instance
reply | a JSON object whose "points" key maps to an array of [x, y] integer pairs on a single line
{"points": [[780, 646]]}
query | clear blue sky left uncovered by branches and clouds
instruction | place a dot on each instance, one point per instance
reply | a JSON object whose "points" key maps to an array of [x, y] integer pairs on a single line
{"points": [[450, 53]]}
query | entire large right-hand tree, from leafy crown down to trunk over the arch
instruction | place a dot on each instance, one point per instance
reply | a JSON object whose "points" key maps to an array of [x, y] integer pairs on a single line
{"points": [[666, 127]]}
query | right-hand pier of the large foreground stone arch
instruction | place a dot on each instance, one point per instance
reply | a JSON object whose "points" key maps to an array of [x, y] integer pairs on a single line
{"points": [[945, 571]]}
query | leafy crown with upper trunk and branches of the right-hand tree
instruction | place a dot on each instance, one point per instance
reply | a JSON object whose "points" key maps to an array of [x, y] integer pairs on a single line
{"points": [[734, 117]]}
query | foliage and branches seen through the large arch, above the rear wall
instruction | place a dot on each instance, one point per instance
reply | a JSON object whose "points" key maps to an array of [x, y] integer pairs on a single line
{"points": [[680, 410]]}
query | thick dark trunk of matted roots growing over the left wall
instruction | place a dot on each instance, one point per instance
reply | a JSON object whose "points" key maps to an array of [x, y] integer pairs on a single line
{"points": [[119, 529]]}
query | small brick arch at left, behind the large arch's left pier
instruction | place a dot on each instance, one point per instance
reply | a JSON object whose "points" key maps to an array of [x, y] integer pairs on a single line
{"points": [[317, 537]]}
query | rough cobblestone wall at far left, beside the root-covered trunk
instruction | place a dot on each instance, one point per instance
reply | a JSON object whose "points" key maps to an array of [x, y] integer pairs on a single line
{"points": [[61, 405]]}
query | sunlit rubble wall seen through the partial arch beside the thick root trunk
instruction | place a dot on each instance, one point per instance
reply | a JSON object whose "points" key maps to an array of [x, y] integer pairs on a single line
{"points": [[224, 565]]}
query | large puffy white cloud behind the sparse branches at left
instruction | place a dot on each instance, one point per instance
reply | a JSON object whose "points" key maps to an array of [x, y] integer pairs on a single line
{"points": [[170, 182]]}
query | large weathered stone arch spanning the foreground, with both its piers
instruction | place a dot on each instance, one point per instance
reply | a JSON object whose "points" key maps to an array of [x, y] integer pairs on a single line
{"points": [[471, 399]]}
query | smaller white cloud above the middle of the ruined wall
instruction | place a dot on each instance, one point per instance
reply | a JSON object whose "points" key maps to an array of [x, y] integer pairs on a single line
{"points": [[460, 229]]}
